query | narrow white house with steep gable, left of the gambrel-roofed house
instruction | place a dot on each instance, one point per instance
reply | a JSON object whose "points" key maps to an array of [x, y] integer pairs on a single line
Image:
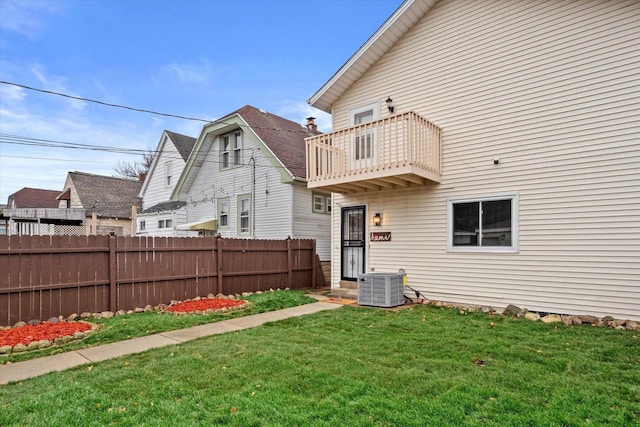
{"points": [[160, 216]]}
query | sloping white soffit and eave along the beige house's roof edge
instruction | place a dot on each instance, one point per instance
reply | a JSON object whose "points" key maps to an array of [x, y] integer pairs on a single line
{"points": [[394, 28]]}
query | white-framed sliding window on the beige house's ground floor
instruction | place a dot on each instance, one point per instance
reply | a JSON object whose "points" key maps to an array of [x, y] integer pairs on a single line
{"points": [[483, 224]]}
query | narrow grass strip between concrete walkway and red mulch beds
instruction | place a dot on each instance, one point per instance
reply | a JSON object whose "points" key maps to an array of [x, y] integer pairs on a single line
{"points": [[136, 325]]}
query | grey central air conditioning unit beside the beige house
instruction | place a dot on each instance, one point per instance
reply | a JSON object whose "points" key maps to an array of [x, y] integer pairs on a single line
{"points": [[380, 289]]}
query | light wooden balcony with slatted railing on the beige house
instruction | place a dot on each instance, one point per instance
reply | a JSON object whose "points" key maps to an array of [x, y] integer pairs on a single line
{"points": [[399, 151]]}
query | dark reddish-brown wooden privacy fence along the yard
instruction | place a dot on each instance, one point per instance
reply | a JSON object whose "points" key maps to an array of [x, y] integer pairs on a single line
{"points": [[47, 276]]}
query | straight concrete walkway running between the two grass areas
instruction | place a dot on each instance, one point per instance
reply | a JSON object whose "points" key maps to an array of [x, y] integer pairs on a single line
{"points": [[59, 362]]}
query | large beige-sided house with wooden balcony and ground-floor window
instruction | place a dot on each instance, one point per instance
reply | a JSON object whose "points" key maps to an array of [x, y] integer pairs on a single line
{"points": [[505, 166]]}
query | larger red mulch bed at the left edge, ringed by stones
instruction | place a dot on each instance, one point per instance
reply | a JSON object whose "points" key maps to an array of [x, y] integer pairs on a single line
{"points": [[44, 331]]}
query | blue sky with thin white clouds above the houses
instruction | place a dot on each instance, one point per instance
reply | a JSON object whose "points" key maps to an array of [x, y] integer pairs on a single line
{"points": [[193, 58]]}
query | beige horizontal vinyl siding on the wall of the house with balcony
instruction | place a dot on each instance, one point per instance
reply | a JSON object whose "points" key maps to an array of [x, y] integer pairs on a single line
{"points": [[552, 89]]}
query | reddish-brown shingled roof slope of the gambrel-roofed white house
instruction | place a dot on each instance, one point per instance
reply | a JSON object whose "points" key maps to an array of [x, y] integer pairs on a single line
{"points": [[285, 138]]}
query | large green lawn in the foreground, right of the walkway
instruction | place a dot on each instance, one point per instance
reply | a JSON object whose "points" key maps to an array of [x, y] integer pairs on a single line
{"points": [[418, 366]]}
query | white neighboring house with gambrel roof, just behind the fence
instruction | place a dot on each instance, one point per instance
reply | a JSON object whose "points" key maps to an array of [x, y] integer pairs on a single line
{"points": [[245, 178]]}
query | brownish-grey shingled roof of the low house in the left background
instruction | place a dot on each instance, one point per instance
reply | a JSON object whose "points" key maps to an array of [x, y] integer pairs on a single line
{"points": [[110, 197]]}
